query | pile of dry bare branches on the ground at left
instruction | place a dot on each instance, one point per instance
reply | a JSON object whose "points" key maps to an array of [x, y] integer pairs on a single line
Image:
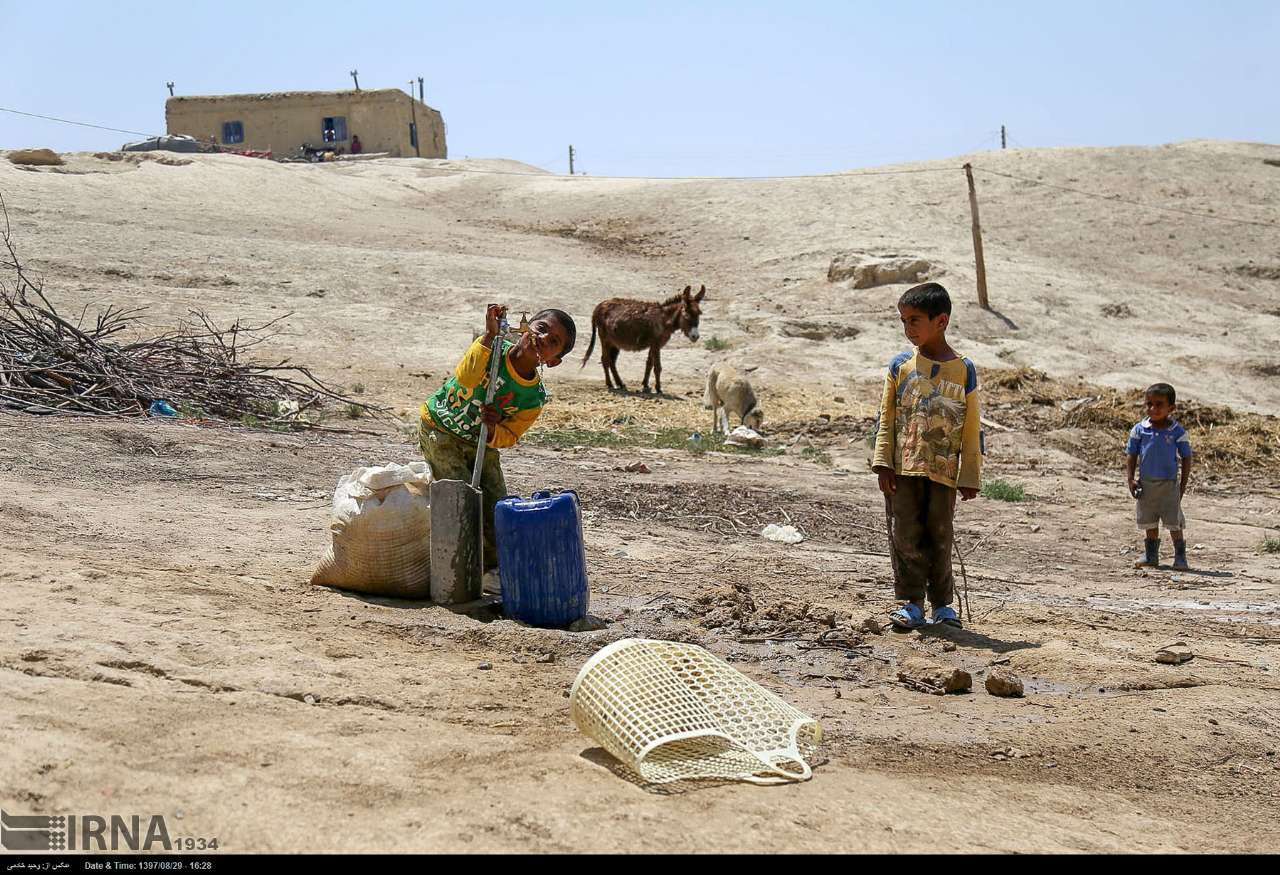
{"points": [[107, 367]]}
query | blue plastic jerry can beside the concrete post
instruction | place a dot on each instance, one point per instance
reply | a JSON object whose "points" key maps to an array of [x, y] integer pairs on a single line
{"points": [[542, 560]]}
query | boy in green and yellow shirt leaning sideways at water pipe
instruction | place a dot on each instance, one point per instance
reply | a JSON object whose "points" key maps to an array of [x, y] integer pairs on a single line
{"points": [[451, 419]]}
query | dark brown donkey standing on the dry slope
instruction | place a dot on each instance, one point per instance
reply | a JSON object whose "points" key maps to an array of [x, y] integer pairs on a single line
{"points": [[625, 324]]}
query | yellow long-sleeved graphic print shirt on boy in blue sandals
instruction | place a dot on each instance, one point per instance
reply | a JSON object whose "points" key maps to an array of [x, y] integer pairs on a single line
{"points": [[931, 424]]}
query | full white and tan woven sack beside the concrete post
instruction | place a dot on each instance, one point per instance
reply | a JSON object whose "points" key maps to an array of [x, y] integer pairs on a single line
{"points": [[382, 533]]}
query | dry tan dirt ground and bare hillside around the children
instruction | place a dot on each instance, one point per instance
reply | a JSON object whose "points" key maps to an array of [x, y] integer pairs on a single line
{"points": [[162, 650]]}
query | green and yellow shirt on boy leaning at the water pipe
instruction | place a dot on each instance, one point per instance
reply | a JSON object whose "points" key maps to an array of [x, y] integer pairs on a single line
{"points": [[455, 409]]}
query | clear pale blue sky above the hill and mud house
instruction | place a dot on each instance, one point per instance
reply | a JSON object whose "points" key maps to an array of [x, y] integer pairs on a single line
{"points": [[669, 89]]}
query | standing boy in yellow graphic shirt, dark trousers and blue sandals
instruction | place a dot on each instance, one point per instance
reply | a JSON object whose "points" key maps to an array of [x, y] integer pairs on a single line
{"points": [[929, 447]]}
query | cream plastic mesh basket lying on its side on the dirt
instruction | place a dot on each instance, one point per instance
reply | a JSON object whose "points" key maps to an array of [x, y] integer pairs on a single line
{"points": [[674, 712]]}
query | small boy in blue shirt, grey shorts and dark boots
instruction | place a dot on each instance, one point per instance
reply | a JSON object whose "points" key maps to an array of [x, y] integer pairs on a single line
{"points": [[1158, 448]]}
